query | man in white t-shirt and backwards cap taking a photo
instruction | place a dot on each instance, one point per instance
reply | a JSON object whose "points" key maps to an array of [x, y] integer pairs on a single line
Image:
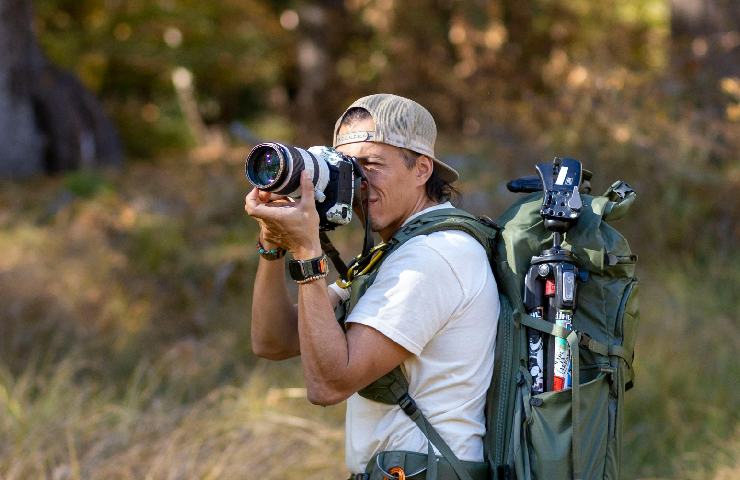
{"points": [[431, 309]]}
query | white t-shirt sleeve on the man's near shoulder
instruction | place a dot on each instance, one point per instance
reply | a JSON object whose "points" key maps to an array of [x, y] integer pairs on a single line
{"points": [[413, 296]]}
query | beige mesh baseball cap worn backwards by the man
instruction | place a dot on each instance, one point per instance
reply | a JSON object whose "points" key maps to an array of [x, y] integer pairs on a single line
{"points": [[400, 122]]}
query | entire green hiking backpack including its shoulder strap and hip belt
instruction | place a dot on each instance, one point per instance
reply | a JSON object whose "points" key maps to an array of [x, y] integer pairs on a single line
{"points": [[574, 433]]}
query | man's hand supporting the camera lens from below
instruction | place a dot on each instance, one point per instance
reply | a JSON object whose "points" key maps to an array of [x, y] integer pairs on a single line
{"points": [[293, 226]]}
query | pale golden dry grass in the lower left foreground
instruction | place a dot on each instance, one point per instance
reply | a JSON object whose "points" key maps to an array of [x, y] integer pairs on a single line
{"points": [[55, 426]]}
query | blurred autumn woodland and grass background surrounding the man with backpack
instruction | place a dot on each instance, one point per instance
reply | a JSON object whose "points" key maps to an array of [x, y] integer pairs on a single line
{"points": [[127, 260]]}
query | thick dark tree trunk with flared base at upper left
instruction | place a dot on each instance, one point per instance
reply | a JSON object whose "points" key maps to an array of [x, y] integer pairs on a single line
{"points": [[48, 120]]}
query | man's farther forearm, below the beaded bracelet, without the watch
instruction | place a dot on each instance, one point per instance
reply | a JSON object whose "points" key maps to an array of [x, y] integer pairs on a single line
{"points": [[274, 317]]}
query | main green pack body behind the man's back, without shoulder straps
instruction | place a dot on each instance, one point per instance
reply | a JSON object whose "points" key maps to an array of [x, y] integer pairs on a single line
{"points": [[575, 433]]}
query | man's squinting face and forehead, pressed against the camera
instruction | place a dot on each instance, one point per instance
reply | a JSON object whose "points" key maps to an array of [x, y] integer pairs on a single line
{"points": [[394, 191]]}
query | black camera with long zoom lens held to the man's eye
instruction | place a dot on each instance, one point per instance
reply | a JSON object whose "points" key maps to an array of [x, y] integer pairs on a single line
{"points": [[276, 168]]}
